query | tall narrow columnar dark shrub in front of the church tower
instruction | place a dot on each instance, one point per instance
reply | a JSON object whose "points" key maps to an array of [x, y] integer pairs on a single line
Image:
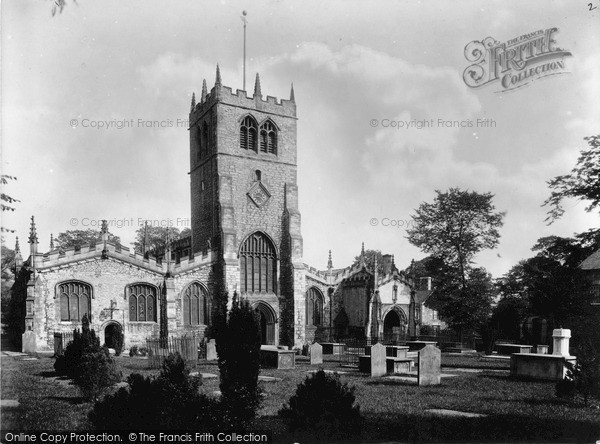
{"points": [[238, 349]]}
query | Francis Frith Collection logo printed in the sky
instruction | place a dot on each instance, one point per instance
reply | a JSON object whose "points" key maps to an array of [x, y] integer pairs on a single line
{"points": [[516, 62]]}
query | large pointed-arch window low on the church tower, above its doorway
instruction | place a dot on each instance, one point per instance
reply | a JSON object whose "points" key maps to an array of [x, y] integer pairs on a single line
{"points": [[258, 265]]}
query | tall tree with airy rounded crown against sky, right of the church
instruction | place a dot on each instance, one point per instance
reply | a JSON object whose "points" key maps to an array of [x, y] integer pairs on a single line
{"points": [[455, 227]]}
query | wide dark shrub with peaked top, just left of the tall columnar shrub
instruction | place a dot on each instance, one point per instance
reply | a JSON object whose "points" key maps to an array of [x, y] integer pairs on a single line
{"points": [[168, 402]]}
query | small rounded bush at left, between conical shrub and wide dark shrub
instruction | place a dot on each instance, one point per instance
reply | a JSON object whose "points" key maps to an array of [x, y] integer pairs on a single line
{"points": [[98, 372]]}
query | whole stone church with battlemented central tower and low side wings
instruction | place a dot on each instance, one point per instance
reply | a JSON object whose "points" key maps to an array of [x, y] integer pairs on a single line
{"points": [[245, 239]]}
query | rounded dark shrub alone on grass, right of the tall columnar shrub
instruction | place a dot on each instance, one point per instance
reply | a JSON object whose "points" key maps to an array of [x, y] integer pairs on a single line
{"points": [[323, 406]]}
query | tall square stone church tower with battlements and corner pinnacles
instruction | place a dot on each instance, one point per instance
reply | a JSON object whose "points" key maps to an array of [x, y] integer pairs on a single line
{"points": [[244, 201]]}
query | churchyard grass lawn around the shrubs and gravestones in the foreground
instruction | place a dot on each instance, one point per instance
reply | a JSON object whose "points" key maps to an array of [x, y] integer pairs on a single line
{"points": [[517, 410]]}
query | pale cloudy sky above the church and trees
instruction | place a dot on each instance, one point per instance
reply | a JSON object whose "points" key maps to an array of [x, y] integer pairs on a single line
{"points": [[361, 70]]}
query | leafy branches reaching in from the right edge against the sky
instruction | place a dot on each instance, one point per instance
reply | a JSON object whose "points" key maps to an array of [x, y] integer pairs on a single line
{"points": [[582, 183]]}
